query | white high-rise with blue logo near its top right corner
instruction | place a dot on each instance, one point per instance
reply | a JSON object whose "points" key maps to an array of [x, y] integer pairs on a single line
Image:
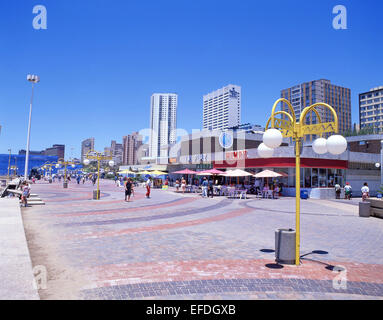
{"points": [[222, 108]]}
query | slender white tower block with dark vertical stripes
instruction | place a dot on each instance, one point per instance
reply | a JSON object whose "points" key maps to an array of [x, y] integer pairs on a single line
{"points": [[163, 123]]}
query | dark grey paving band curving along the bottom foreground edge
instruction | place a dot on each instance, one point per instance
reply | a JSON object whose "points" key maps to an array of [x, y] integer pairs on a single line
{"points": [[157, 289]]}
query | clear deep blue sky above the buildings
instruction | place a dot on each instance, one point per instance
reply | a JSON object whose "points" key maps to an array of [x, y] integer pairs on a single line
{"points": [[100, 61]]}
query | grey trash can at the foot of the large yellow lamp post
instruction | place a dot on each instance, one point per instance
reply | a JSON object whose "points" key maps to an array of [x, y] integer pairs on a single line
{"points": [[285, 246]]}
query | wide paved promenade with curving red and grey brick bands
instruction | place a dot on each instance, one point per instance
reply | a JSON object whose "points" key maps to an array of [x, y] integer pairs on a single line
{"points": [[175, 246]]}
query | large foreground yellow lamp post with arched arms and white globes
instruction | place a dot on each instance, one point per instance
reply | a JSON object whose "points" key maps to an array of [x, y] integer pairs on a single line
{"points": [[291, 128]]}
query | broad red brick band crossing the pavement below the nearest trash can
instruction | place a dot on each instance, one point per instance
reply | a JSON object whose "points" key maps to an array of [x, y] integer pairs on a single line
{"points": [[121, 274]]}
